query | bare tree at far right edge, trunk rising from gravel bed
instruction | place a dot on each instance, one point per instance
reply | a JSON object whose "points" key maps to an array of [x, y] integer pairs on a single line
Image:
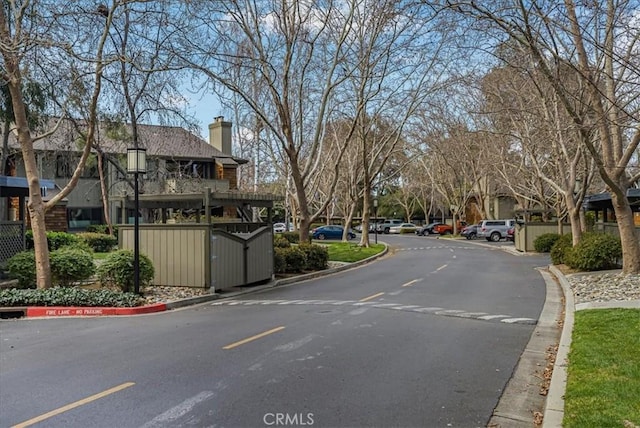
{"points": [[598, 41]]}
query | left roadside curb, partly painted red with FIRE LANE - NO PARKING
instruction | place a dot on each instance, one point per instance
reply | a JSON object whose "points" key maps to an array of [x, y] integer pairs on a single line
{"points": [[65, 311]]}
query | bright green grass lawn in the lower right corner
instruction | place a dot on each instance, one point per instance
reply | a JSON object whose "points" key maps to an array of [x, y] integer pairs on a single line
{"points": [[603, 386]]}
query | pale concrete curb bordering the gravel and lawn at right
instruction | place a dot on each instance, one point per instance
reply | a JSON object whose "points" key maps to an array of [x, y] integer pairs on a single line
{"points": [[554, 407]]}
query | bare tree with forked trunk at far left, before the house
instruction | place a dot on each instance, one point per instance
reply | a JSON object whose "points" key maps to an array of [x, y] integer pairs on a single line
{"points": [[72, 41]]}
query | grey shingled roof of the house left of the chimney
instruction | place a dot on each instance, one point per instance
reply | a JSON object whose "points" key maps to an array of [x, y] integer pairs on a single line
{"points": [[160, 141]]}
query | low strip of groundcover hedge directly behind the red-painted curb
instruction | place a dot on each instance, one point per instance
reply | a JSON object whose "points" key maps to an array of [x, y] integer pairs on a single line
{"points": [[73, 296]]}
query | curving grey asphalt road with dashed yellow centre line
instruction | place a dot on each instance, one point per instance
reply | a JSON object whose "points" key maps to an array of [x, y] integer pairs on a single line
{"points": [[426, 336]]}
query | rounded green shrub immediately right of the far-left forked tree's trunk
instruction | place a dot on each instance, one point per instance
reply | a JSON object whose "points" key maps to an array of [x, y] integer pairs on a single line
{"points": [[69, 265]]}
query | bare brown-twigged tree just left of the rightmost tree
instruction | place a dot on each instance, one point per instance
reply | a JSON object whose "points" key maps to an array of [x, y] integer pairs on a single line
{"points": [[528, 112]]}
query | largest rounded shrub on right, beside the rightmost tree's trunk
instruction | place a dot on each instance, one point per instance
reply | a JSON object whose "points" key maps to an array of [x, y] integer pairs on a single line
{"points": [[595, 251]]}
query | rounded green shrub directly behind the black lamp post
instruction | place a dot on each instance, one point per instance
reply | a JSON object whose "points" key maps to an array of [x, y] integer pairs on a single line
{"points": [[117, 269]]}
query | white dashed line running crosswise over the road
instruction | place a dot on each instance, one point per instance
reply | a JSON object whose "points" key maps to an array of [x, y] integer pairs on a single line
{"points": [[456, 313]]}
